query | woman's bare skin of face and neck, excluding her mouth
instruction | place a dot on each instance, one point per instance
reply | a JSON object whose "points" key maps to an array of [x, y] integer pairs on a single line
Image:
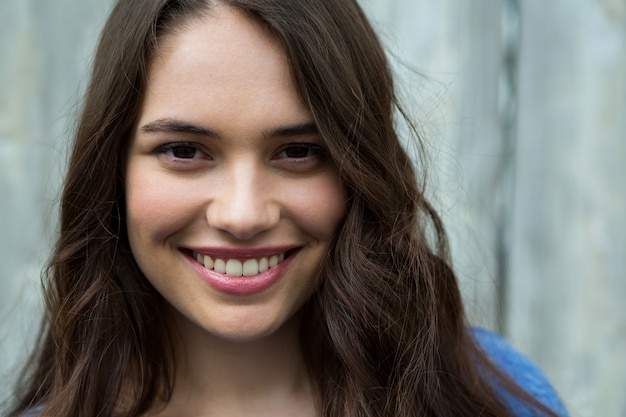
{"points": [[247, 175]]}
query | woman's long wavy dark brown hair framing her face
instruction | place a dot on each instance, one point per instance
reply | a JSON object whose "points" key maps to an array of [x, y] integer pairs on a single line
{"points": [[384, 335]]}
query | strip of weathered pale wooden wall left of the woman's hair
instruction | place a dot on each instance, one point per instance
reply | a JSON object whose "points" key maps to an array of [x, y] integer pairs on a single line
{"points": [[45, 49]]}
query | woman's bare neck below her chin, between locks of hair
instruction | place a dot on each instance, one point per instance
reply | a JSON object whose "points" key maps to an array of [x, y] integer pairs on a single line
{"points": [[233, 378]]}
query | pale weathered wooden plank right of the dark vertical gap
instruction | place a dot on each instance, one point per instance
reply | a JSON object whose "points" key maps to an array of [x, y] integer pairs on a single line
{"points": [[568, 271]]}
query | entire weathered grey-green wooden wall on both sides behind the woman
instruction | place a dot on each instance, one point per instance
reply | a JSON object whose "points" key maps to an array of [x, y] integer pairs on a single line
{"points": [[524, 105]]}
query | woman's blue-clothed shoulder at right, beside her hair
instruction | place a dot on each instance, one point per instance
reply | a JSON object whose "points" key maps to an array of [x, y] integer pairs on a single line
{"points": [[521, 369]]}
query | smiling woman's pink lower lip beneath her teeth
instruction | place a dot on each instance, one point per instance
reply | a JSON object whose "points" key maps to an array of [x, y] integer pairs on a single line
{"points": [[242, 285]]}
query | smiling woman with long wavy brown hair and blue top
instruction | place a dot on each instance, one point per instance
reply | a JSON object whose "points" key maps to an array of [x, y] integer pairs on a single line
{"points": [[242, 233]]}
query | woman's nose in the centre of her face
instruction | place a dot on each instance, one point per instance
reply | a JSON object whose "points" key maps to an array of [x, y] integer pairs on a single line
{"points": [[242, 204]]}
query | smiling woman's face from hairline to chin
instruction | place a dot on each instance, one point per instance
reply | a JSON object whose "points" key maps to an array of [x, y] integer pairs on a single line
{"points": [[227, 176]]}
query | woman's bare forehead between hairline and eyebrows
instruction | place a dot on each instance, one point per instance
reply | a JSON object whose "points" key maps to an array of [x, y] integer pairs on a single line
{"points": [[218, 65]]}
